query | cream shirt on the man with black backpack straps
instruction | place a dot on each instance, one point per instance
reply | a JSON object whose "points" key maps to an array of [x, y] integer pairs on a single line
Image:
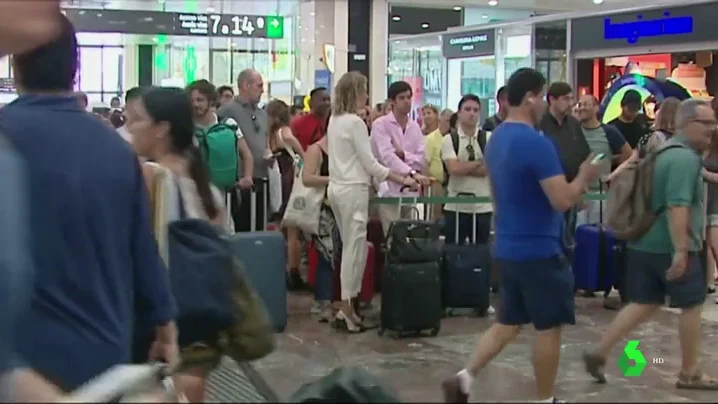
{"points": [[468, 184]]}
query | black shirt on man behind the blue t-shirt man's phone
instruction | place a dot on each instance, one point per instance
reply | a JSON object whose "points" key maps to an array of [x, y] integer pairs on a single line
{"points": [[569, 140]]}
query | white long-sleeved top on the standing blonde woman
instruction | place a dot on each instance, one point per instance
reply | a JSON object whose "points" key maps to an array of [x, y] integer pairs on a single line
{"points": [[351, 161]]}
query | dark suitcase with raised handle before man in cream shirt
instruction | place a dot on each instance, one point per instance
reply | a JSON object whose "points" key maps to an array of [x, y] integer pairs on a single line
{"points": [[466, 273]]}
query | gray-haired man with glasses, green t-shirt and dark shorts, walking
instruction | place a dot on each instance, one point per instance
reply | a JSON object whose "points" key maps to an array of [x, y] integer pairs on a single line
{"points": [[665, 260]]}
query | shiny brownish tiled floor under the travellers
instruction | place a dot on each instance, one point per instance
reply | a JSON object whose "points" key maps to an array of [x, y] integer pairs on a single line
{"points": [[415, 367]]}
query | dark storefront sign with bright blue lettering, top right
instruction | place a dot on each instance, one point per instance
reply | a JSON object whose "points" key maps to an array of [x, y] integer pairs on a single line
{"points": [[662, 26]]}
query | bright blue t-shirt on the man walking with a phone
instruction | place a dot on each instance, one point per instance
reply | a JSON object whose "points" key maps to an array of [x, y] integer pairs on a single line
{"points": [[527, 227]]}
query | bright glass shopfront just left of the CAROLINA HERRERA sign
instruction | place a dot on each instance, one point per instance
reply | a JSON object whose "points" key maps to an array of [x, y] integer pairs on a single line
{"points": [[419, 62]]}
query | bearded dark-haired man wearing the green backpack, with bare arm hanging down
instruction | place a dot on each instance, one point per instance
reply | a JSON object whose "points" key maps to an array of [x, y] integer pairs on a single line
{"points": [[204, 97]]}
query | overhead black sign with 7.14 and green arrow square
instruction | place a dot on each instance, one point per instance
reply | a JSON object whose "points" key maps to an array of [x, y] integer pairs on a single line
{"points": [[171, 23]]}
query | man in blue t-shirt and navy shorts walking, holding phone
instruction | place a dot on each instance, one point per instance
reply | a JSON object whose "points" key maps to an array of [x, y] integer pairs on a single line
{"points": [[530, 191]]}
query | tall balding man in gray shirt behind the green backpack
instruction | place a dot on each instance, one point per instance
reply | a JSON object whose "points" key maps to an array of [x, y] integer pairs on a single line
{"points": [[252, 122]]}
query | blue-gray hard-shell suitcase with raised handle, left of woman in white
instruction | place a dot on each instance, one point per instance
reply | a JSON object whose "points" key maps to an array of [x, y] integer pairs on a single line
{"points": [[265, 262]]}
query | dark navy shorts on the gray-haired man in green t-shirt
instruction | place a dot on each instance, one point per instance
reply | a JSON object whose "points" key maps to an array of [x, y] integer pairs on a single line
{"points": [[646, 280]]}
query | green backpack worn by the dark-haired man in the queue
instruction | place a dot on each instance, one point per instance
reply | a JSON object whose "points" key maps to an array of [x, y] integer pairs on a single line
{"points": [[219, 148]]}
